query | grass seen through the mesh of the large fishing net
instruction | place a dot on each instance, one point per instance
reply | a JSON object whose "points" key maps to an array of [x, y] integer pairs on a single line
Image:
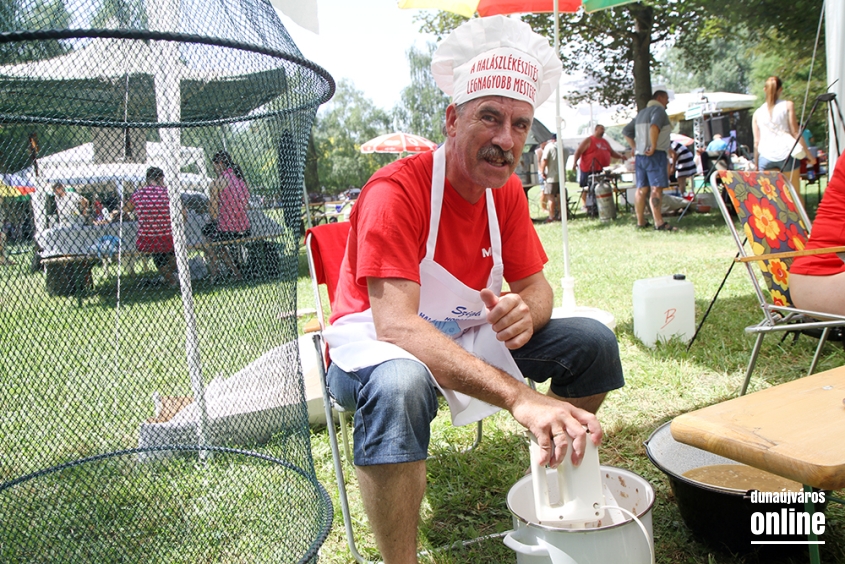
{"points": [[77, 378]]}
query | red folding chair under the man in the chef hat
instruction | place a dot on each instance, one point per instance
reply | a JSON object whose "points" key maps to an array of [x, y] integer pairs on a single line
{"points": [[325, 246]]}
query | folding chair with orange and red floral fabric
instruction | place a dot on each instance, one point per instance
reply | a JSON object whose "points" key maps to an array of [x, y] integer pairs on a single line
{"points": [[767, 204]]}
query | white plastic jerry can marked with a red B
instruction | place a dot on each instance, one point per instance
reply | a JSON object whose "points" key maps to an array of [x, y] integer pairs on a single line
{"points": [[664, 308]]}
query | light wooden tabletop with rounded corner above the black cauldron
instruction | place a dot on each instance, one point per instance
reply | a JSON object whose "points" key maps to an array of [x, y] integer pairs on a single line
{"points": [[794, 430]]}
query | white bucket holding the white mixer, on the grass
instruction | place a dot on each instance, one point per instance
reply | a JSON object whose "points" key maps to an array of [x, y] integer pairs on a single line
{"points": [[621, 542]]}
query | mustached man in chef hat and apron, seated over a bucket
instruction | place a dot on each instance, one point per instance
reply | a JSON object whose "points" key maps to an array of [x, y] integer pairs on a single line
{"points": [[419, 305]]}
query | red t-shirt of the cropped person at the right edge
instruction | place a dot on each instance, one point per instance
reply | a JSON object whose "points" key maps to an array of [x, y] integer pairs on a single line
{"points": [[828, 229]]}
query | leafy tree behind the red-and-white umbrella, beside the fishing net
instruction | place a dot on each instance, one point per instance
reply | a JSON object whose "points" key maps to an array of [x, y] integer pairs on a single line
{"points": [[342, 126]]}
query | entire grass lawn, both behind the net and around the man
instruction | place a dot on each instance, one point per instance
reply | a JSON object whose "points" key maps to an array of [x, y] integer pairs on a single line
{"points": [[76, 380]]}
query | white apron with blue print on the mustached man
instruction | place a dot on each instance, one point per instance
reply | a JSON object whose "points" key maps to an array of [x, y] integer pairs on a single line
{"points": [[447, 303]]}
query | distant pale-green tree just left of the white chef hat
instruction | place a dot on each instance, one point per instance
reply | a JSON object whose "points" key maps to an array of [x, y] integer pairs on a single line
{"points": [[423, 106]]}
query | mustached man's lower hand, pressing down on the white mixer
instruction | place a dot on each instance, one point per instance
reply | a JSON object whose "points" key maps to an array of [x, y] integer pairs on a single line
{"points": [[556, 424]]}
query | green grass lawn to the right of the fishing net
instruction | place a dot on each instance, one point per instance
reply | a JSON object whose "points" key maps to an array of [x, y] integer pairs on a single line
{"points": [[466, 495]]}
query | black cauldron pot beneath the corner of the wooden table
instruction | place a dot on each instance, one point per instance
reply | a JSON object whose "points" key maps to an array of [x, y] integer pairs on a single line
{"points": [[716, 515]]}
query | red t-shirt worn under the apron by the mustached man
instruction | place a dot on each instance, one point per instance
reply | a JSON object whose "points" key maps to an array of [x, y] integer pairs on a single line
{"points": [[389, 228]]}
